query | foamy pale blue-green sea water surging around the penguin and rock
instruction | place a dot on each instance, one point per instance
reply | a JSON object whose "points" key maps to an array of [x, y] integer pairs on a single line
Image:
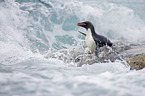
{"points": [[31, 29]]}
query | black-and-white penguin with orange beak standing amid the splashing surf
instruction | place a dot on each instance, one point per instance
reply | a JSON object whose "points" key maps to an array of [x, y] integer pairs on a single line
{"points": [[93, 40]]}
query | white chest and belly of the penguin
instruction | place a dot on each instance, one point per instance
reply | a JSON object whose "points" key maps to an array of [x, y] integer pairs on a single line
{"points": [[90, 41]]}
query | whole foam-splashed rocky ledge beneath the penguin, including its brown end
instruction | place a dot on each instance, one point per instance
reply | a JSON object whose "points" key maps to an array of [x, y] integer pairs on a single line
{"points": [[133, 54]]}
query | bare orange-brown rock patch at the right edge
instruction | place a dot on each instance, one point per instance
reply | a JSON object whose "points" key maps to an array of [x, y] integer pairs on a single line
{"points": [[136, 61]]}
